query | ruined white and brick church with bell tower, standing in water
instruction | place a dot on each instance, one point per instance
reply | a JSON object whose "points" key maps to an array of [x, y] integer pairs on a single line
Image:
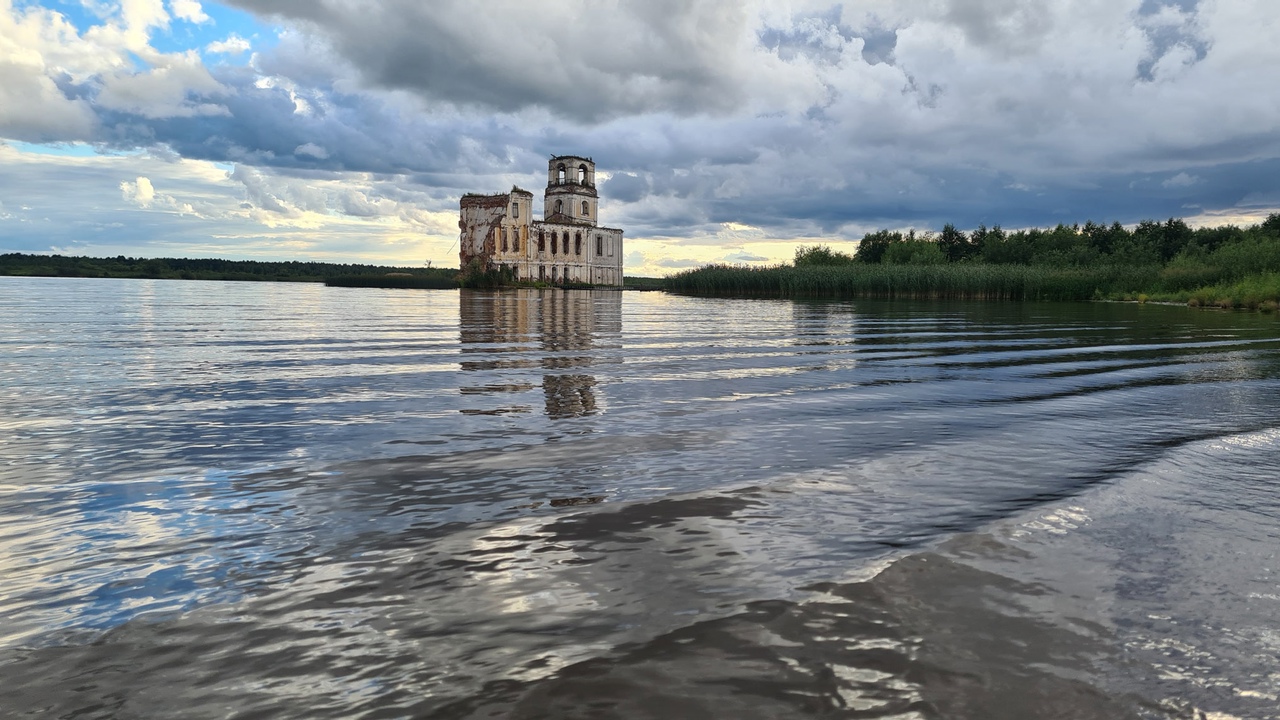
{"points": [[566, 247]]}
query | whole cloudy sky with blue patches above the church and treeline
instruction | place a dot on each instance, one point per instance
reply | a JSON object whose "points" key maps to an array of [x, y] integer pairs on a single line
{"points": [[724, 130]]}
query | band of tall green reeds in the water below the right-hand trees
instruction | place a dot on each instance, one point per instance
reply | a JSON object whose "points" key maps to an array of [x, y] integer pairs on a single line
{"points": [[967, 281]]}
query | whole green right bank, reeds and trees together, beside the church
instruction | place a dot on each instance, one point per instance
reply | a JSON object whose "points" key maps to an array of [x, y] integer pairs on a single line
{"points": [[1223, 266]]}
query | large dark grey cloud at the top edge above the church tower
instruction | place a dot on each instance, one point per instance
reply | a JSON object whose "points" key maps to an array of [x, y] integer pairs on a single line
{"points": [[583, 61]]}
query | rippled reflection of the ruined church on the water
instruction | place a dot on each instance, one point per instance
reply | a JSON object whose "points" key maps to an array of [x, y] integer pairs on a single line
{"points": [[510, 338]]}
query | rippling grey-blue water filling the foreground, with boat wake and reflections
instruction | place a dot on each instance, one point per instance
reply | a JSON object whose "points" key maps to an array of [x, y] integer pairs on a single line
{"points": [[239, 500]]}
